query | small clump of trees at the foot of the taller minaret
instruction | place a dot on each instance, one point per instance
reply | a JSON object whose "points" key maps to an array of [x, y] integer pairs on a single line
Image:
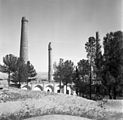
{"points": [[18, 71]]}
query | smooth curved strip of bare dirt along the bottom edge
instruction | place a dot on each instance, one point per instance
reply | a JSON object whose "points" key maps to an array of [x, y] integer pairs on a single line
{"points": [[57, 117]]}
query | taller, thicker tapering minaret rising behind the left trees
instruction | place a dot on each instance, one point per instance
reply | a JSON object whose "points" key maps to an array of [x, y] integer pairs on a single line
{"points": [[24, 40]]}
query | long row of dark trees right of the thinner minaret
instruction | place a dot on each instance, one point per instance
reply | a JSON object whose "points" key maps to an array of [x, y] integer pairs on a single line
{"points": [[101, 74]]}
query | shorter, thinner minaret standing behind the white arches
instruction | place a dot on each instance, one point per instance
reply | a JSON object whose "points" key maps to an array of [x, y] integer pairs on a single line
{"points": [[49, 62]]}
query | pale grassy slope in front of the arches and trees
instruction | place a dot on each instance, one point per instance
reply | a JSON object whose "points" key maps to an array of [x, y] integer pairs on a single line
{"points": [[20, 104]]}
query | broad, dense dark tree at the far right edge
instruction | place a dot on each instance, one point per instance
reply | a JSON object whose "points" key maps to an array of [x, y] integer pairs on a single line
{"points": [[113, 64]]}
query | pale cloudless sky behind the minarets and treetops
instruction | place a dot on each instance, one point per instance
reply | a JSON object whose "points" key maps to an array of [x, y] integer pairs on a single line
{"points": [[66, 23]]}
